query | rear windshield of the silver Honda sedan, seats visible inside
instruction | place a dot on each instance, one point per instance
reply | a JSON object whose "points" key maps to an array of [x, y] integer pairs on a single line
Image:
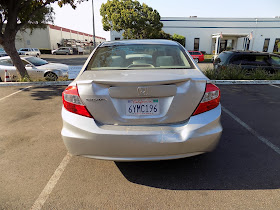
{"points": [[145, 56]]}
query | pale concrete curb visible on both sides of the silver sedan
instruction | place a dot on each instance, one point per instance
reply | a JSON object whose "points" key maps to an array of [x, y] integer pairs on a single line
{"points": [[217, 82]]}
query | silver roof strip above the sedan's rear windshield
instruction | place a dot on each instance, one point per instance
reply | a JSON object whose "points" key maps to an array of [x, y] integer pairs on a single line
{"points": [[139, 41]]}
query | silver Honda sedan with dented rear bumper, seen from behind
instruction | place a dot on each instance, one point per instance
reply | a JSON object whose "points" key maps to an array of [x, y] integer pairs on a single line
{"points": [[140, 100]]}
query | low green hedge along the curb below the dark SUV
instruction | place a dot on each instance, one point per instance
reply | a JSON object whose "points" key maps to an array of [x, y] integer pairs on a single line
{"points": [[237, 73]]}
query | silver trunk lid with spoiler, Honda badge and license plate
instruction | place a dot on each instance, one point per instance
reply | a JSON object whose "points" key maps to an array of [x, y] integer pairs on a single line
{"points": [[141, 97]]}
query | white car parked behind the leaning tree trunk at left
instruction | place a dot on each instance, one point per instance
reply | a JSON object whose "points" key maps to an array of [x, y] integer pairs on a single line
{"points": [[37, 68]]}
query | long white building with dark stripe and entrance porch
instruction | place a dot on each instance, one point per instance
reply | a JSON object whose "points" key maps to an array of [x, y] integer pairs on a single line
{"points": [[214, 35]]}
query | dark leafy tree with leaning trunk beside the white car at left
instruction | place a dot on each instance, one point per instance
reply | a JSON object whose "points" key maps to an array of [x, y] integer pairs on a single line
{"points": [[18, 15]]}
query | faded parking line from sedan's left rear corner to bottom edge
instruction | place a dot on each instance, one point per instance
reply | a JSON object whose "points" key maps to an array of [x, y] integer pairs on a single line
{"points": [[38, 204]]}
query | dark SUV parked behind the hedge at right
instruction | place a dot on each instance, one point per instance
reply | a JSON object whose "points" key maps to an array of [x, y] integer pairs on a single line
{"points": [[248, 60]]}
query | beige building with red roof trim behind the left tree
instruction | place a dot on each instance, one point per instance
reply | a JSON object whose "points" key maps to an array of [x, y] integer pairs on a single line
{"points": [[53, 36]]}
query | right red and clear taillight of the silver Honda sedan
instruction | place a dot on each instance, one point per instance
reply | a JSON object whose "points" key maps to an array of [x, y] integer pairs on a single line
{"points": [[210, 100]]}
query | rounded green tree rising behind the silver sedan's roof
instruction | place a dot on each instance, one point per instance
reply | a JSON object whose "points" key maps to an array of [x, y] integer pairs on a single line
{"points": [[138, 21]]}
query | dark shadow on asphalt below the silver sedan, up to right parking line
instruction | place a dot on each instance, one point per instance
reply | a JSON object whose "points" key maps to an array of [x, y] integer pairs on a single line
{"points": [[239, 162]]}
